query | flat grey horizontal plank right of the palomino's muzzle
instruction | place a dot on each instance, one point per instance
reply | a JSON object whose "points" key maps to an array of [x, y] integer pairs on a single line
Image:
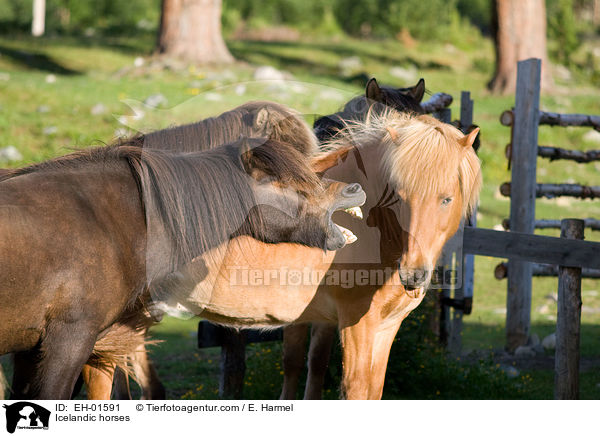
{"points": [[532, 248]]}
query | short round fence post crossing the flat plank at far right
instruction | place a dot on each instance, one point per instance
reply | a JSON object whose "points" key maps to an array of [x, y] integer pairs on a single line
{"points": [[568, 322]]}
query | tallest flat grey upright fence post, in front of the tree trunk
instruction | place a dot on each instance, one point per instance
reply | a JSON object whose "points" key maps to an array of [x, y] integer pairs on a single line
{"points": [[522, 204]]}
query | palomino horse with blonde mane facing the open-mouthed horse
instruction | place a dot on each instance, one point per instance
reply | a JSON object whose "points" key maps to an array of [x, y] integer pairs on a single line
{"points": [[421, 177]]}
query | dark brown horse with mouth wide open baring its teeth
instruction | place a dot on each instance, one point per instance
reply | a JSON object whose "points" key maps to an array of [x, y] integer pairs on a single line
{"points": [[84, 234]]}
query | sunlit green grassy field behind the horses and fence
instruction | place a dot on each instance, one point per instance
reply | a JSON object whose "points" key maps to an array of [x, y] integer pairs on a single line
{"points": [[51, 89]]}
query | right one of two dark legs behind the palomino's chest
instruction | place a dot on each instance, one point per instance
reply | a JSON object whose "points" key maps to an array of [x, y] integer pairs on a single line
{"points": [[321, 341]]}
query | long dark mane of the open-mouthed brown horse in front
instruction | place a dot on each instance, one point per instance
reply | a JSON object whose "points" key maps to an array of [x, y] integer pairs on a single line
{"points": [[198, 200]]}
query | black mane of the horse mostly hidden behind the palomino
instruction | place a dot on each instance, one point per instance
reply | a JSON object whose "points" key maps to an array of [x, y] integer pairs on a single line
{"points": [[357, 109]]}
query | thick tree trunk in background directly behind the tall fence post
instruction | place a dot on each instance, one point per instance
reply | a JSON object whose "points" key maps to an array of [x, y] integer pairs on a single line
{"points": [[519, 28]]}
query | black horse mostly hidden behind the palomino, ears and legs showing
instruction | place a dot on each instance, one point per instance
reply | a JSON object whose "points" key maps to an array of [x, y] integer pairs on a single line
{"points": [[376, 99]]}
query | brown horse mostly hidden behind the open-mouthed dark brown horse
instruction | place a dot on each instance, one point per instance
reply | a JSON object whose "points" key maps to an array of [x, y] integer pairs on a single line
{"points": [[256, 119]]}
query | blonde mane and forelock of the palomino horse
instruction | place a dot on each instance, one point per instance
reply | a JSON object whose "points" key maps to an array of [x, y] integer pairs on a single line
{"points": [[422, 156]]}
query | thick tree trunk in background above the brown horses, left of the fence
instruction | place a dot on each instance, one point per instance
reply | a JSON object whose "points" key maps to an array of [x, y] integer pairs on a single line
{"points": [[190, 30]]}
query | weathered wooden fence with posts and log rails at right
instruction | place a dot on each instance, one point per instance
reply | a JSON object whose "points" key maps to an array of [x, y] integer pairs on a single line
{"points": [[568, 259]]}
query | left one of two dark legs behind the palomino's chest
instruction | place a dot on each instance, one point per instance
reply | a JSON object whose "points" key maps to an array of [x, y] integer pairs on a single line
{"points": [[294, 352]]}
